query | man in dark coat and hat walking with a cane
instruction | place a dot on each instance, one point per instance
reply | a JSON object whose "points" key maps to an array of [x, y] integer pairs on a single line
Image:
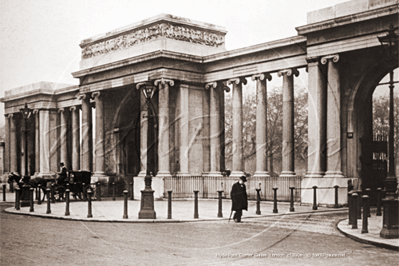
{"points": [[239, 198]]}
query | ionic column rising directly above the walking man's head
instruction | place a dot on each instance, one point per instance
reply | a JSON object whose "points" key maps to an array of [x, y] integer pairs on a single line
{"points": [[238, 163]]}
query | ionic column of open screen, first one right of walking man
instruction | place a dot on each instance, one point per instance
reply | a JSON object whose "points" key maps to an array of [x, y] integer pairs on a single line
{"points": [[261, 124]]}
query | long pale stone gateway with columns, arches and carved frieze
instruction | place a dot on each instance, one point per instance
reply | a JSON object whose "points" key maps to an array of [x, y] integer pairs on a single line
{"points": [[190, 69]]}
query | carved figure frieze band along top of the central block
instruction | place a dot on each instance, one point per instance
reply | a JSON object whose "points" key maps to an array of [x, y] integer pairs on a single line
{"points": [[181, 33]]}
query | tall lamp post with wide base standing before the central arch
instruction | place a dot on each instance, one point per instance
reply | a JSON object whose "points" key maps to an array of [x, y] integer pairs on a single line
{"points": [[147, 195]]}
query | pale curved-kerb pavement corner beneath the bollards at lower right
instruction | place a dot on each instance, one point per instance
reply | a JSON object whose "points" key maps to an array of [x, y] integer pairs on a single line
{"points": [[372, 237]]}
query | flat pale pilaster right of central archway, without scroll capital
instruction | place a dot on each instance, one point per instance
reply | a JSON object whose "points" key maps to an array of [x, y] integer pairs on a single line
{"points": [[184, 120]]}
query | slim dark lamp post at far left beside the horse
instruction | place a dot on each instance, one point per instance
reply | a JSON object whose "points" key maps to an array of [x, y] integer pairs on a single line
{"points": [[25, 193]]}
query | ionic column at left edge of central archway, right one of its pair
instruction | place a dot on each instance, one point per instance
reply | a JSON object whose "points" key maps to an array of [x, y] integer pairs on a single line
{"points": [[99, 171]]}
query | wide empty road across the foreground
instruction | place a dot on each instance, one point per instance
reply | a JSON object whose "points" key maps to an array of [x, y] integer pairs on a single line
{"points": [[284, 240]]}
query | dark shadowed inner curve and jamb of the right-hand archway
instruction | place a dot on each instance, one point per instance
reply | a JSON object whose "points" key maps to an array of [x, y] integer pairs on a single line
{"points": [[359, 121]]}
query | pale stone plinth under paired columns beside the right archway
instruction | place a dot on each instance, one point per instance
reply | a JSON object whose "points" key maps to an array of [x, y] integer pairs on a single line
{"points": [[325, 190]]}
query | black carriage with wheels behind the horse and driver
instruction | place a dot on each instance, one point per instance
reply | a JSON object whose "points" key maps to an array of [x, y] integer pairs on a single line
{"points": [[77, 182]]}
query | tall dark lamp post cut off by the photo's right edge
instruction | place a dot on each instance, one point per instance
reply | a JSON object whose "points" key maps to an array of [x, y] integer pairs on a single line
{"points": [[390, 219]]}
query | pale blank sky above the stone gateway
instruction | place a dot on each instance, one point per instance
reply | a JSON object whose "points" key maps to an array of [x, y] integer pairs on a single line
{"points": [[39, 39]]}
